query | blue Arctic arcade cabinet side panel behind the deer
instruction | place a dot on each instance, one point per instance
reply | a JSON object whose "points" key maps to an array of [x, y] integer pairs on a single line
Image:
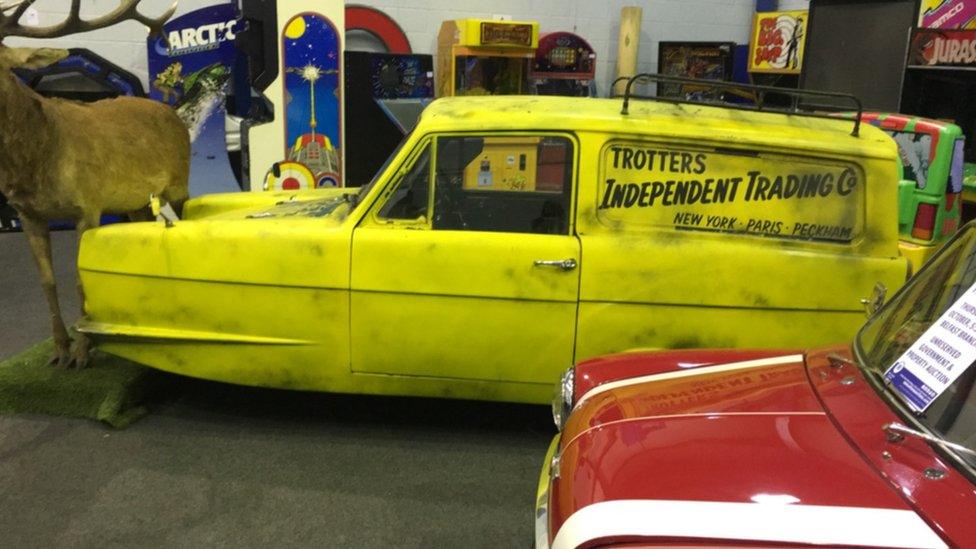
{"points": [[190, 70]]}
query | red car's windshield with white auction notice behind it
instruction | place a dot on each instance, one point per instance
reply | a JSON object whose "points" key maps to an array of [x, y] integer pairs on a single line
{"points": [[921, 344]]}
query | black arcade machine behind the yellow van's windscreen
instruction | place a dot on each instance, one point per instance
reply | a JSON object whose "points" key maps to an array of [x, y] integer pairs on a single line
{"points": [[384, 96]]}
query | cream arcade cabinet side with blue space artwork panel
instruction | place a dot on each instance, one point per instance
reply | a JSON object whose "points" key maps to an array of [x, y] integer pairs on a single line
{"points": [[294, 49]]}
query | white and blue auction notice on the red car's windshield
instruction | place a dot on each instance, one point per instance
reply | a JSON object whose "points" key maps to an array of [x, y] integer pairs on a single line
{"points": [[935, 360]]}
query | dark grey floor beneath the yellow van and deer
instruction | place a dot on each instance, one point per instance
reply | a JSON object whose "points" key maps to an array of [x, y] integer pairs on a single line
{"points": [[220, 465]]}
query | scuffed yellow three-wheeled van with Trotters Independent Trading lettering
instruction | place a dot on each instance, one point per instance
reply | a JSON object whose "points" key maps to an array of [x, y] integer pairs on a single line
{"points": [[316, 290]]}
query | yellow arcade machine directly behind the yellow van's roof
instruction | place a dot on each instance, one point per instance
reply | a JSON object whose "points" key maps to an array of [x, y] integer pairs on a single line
{"points": [[485, 57]]}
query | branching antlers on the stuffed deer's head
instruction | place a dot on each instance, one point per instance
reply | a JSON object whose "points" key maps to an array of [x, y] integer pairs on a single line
{"points": [[126, 10]]}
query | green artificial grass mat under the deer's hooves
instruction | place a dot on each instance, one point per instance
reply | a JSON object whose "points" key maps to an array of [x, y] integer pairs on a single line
{"points": [[111, 390]]}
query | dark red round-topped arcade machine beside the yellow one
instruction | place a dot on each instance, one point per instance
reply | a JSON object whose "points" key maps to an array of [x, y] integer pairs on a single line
{"points": [[564, 64]]}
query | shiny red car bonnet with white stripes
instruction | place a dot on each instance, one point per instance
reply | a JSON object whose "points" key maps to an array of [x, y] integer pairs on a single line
{"points": [[752, 432]]}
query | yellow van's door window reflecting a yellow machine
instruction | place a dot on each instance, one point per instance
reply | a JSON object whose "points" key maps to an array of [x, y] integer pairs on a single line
{"points": [[517, 183]]}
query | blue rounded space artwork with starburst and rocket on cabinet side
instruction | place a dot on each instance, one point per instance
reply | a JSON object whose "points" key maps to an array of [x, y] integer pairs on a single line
{"points": [[311, 51]]}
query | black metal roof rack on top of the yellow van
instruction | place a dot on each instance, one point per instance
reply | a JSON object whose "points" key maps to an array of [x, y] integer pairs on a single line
{"points": [[759, 92]]}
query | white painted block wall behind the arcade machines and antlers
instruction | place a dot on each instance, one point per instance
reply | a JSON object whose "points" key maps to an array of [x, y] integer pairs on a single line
{"points": [[596, 21]]}
